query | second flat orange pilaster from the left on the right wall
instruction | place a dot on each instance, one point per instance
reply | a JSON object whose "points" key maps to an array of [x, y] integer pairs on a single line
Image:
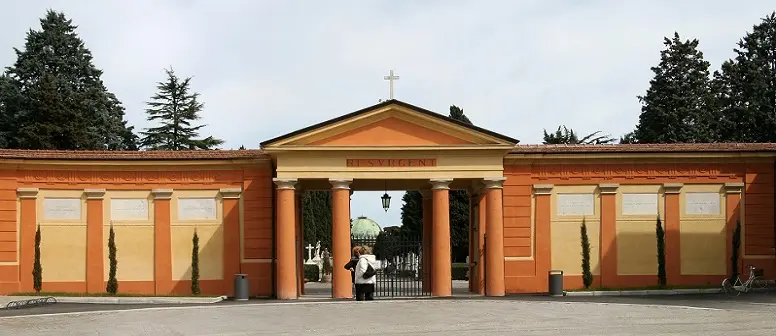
{"points": [[608, 234]]}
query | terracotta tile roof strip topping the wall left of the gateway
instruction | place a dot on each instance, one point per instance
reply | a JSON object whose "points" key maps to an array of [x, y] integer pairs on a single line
{"points": [[130, 155]]}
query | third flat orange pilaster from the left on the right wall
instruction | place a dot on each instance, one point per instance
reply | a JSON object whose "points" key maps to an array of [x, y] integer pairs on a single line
{"points": [[671, 224]]}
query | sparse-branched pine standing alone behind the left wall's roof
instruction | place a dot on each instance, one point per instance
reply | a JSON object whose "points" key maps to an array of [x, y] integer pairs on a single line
{"points": [[175, 107]]}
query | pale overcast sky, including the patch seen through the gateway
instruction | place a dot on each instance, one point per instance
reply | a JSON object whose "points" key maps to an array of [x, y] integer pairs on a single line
{"points": [[265, 68]]}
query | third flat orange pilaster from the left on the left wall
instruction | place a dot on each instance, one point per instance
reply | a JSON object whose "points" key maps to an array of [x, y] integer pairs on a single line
{"points": [[162, 242]]}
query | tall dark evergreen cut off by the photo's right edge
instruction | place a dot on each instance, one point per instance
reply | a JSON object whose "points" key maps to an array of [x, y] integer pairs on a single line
{"points": [[745, 87]]}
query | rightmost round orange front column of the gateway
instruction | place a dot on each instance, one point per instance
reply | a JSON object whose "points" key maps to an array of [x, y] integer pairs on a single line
{"points": [[494, 240]]}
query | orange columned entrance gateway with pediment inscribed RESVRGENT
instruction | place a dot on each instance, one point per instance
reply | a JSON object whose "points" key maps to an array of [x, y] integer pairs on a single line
{"points": [[404, 147]]}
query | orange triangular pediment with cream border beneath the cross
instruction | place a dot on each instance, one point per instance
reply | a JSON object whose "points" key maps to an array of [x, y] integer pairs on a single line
{"points": [[391, 124]]}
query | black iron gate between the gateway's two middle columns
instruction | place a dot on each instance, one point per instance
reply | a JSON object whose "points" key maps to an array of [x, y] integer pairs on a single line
{"points": [[399, 260]]}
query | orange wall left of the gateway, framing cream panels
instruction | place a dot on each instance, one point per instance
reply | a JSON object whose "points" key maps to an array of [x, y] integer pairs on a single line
{"points": [[254, 223]]}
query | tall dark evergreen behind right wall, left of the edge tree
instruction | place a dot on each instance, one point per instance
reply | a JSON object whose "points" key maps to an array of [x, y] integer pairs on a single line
{"points": [[676, 107]]}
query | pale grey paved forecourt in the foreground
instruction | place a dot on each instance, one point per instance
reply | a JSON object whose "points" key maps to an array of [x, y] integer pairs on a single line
{"points": [[414, 317]]}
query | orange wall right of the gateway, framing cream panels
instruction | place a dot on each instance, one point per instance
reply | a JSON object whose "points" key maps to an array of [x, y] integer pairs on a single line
{"points": [[526, 267]]}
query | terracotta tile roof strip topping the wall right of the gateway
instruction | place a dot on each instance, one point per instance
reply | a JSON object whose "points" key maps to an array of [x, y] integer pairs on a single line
{"points": [[645, 148]]}
